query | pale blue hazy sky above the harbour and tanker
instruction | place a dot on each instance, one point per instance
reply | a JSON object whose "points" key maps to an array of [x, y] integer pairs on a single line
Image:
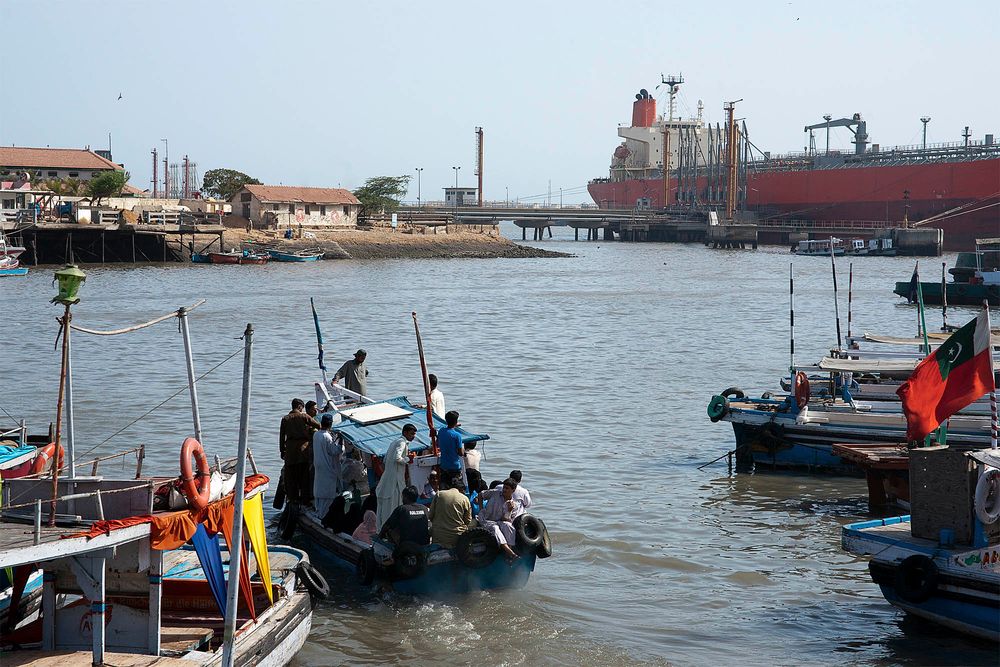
{"points": [[331, 93]]}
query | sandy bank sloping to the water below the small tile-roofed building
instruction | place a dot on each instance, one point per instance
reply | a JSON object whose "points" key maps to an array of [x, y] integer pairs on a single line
{"points": [[388, 244]]}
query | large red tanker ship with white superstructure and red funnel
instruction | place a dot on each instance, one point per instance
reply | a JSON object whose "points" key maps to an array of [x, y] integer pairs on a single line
{"points": [[954, 187]]}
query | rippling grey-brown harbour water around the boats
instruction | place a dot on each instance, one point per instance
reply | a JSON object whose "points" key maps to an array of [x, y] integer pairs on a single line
{"points": [[592, 374]]}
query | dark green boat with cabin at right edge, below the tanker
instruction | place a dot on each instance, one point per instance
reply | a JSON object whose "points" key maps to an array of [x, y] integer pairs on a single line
{"points": [[971, 285]]}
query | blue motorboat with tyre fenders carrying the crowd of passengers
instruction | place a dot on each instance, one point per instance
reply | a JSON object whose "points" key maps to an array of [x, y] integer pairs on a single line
{"points": [[474, 564]]}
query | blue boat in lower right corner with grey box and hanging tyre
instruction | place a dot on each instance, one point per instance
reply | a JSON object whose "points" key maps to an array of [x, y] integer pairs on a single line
{"points": [[941, 562]]}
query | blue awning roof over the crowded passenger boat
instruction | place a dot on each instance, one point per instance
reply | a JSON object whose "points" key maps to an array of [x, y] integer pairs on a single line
{"points": [[376, 438]]}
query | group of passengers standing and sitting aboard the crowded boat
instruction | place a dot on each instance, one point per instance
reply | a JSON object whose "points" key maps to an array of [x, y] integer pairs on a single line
{"points": [[318, 469]]}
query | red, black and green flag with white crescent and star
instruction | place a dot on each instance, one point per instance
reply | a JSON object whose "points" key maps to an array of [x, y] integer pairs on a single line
{"points": [[955, 375]]}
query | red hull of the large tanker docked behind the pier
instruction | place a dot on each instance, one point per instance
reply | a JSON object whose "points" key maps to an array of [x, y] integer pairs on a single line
{"points": [[857, 193]]}
